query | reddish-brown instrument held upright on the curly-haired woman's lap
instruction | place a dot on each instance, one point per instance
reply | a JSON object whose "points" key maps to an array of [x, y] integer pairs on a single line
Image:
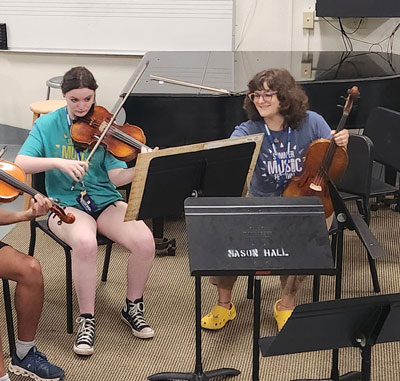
{"points": [[324, 161]]}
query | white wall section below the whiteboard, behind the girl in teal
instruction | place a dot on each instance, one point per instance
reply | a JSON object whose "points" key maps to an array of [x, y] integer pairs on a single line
{"points": [[23, 79]]}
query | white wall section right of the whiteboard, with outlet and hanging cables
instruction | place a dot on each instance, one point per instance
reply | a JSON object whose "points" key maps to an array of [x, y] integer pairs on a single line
{"points": [[277, 25]]}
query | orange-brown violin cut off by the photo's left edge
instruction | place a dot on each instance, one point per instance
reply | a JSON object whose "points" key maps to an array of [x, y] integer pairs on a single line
{"points": [[12, 185]]}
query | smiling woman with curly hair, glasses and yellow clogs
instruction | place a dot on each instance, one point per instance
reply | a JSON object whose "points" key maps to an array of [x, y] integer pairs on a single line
{"points": [[277, 107]]}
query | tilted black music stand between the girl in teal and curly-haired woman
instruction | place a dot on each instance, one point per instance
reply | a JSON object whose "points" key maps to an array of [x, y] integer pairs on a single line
{"points": [[220, 171]]}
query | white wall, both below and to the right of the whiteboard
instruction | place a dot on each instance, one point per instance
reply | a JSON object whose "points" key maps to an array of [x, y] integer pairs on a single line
{"points": [[261, 25]]}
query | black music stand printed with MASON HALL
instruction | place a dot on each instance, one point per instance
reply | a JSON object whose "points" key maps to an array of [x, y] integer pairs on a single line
{"points": [[219, 228]]}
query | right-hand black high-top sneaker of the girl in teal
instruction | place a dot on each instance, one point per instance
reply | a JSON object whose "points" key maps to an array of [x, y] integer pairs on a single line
{"points": [[132, 315]]}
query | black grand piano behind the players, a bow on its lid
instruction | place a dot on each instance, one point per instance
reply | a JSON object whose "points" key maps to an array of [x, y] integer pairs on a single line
{"points": [[174, 115]]}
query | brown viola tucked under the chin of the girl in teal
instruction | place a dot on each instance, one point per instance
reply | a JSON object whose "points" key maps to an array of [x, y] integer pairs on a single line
{"points": [[124, 142]]}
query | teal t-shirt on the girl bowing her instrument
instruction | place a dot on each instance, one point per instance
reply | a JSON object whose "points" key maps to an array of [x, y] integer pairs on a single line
{"points": [[50, 137]]}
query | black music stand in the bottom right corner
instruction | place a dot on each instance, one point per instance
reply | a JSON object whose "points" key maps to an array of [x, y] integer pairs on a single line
{"points": [[357, 322]]}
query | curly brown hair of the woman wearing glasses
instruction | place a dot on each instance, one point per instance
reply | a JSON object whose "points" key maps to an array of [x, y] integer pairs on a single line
{"points": [[293, 100]]}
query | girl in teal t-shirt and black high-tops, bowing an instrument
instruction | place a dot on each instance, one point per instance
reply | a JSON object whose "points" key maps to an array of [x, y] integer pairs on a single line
{"points": [[89, 191]]}
